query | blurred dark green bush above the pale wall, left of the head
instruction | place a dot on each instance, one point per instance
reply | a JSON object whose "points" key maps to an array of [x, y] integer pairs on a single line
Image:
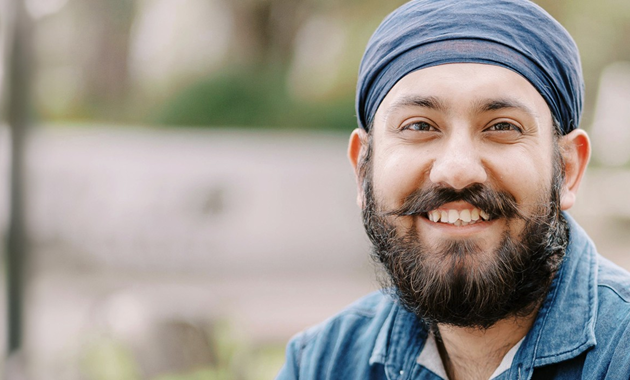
{"points": [[253, 98]]}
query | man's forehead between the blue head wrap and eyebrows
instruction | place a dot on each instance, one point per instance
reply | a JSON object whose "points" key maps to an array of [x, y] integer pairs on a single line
{"points": [[464, 89]]}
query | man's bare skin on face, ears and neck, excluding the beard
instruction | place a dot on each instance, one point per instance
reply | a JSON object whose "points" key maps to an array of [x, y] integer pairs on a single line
{"points": [[457, 125]]}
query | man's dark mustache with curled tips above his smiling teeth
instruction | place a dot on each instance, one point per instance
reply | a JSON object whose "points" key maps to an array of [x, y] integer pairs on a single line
{"points": [[496, 203]]}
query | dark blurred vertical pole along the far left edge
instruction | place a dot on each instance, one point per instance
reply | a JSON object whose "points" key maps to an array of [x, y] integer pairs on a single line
{"points": [[17, 110]]}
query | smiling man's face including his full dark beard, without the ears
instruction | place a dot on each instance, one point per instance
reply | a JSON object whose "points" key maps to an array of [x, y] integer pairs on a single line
{"points": [[462, 181]]}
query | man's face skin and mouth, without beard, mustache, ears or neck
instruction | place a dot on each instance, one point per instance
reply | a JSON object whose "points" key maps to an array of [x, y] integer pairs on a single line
{"points": [[457, 125]]}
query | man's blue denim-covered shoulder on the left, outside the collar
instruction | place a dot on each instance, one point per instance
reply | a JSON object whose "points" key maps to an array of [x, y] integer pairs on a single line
{"points": [[346, 340]]}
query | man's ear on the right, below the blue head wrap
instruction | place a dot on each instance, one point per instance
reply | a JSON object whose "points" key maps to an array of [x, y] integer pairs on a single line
{"points": [[575, 148]]}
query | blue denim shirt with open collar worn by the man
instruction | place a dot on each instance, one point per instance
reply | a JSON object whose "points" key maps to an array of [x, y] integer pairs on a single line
{"points": [[582, 331]]}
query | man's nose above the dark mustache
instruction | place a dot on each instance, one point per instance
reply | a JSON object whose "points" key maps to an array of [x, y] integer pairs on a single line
{"points": [[459, 164]]}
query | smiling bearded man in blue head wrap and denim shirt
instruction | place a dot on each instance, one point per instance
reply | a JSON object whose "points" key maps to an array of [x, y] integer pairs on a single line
{"points": [[467, 155]]}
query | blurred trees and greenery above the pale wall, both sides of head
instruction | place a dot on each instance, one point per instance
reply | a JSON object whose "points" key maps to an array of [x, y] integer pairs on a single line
{"points": [[264, 63]]}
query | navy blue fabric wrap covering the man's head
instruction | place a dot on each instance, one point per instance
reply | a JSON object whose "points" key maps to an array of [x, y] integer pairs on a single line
{"points": [[515, 34]]}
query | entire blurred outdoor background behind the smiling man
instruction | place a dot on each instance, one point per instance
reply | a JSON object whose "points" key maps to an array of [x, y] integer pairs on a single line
{"points": [[176, 200]]}
